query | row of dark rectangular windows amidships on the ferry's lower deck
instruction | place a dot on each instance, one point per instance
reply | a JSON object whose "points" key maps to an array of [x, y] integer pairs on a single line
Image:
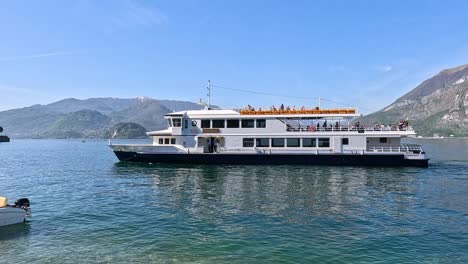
{"points": [[288, 142]]}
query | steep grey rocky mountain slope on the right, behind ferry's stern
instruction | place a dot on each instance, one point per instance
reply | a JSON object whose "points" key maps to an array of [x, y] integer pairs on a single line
{"points": [[439, 105]]}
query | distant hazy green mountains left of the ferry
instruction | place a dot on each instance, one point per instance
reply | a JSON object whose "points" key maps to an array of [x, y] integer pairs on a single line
{"points": [[90, 118]]}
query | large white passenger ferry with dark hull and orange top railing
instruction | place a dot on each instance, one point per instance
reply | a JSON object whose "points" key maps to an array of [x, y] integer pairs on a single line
{"points": [[306, 137]]}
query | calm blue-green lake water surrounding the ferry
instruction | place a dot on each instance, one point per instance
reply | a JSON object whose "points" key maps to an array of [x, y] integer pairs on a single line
{"points": [[87, 207]]}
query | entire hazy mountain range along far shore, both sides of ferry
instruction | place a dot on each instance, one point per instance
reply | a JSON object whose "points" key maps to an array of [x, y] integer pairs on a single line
{"points": [[438, 105]]}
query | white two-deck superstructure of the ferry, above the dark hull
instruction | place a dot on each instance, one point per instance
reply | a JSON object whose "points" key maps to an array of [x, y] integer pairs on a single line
{"points": [[320, 131]]}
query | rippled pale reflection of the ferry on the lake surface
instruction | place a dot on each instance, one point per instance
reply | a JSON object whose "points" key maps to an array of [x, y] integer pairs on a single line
{"points": [[292, 193]]}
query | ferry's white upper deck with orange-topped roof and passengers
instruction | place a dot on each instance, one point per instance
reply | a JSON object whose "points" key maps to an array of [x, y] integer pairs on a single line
{"points": [[304, 120]]}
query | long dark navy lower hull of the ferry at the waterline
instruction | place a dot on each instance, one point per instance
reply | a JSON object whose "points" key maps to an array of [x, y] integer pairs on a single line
{"points": [[333, 159]]}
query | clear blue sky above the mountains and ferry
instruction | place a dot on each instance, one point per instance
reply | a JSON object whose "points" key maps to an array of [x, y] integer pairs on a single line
{"points": [[364, 53]]}
